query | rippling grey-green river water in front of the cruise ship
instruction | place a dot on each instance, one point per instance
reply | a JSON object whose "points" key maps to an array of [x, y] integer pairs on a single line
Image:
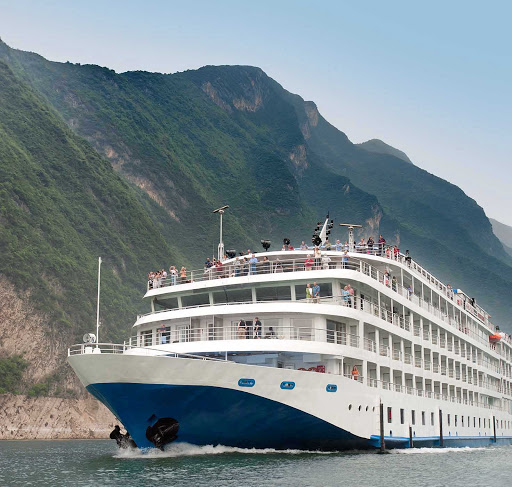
{"points": [[100, 463]]}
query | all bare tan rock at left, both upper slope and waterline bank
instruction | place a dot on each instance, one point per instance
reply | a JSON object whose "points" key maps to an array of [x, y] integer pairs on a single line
{"points": [[24, 331]]}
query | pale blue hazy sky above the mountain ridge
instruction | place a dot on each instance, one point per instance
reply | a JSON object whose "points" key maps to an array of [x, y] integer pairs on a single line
{"points": [[433, 79]]}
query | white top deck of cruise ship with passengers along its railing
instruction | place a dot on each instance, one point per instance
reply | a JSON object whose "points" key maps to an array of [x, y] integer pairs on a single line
{"points": [[400, 274]]}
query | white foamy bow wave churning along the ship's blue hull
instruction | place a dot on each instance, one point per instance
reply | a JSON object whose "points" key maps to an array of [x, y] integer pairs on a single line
{"points": [[187, 449]]}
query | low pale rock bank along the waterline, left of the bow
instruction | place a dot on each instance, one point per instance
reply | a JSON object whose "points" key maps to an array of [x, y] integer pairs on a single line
{"points": [[23, 418]]}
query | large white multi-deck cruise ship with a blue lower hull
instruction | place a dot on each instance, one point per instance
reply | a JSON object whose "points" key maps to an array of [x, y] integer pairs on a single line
{"points": [[379, 354]]}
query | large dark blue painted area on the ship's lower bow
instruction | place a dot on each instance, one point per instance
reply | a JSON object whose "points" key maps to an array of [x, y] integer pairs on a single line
{"points": [[212, 415]]}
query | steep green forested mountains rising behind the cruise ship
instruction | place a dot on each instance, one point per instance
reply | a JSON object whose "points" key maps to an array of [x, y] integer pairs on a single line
{"points": [[129, 166]]}
